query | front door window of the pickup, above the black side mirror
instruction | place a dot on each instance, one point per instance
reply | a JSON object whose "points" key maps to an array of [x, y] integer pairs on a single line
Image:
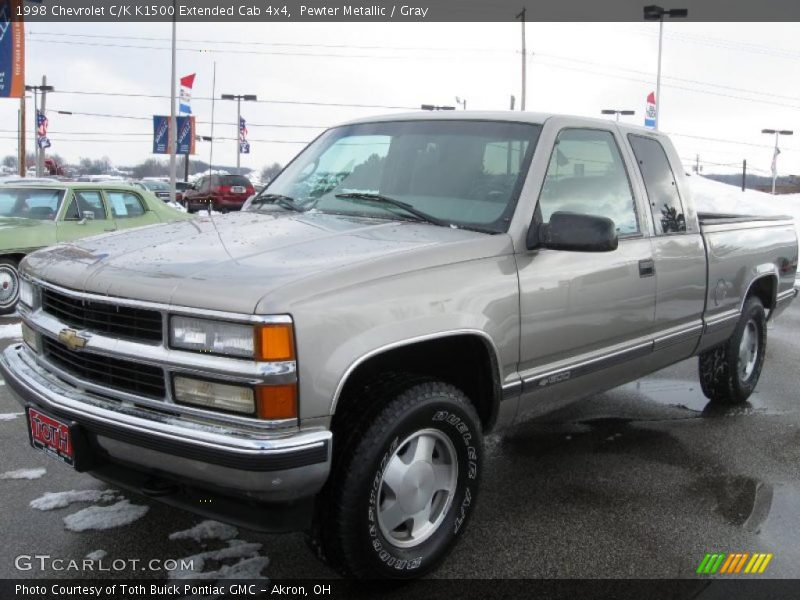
{"points": [[586, 175]]}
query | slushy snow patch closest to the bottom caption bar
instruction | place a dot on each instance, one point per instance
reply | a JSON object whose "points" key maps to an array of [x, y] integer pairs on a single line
{"points": [[249, 565]]}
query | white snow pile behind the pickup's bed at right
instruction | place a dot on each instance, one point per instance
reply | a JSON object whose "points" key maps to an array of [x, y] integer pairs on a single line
{"points": [[714, 196]]}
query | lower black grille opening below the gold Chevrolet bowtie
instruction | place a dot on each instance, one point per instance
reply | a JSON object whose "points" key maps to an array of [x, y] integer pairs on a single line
{"points": [[114, 373]]}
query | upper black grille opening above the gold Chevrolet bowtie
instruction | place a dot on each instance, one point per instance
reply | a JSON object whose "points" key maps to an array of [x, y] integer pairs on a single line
{"points": [[135, 324]]}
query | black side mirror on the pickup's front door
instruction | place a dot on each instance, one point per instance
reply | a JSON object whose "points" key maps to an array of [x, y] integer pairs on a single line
{"points": [[575, 232]]}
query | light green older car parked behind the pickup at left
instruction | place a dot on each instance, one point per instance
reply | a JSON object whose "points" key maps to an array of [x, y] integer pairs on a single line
{"points": [[34, 216]]}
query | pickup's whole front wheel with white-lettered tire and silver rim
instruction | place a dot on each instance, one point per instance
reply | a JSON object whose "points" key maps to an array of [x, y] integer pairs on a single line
{"points": [[404, 484]]}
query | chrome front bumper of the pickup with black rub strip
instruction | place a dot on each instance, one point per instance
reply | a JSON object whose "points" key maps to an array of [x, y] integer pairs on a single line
{"points": [[268, 466]]}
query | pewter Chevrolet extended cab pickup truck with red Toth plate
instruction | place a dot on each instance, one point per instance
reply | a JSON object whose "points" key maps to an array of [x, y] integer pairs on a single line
{"points": [[330, 359]]}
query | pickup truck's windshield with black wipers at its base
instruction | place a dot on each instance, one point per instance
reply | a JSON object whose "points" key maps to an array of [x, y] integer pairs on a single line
{"points": [[463, 173]]}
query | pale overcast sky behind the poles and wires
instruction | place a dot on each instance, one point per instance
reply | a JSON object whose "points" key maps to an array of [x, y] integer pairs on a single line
{"points": [[725, 81]]}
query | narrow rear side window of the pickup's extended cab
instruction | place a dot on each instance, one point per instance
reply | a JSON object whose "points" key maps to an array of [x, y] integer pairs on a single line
{"points": [[659, 181]]}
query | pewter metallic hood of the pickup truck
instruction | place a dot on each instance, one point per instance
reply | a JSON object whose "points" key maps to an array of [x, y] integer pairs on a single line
{"points": [[232, 263]]}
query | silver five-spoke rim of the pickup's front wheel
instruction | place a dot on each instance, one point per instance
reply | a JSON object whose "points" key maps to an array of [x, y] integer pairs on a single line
{"points": [[417, 488]]}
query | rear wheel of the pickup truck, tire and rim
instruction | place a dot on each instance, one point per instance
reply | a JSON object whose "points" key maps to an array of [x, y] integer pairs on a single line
{"points": [[729, 373]]}
